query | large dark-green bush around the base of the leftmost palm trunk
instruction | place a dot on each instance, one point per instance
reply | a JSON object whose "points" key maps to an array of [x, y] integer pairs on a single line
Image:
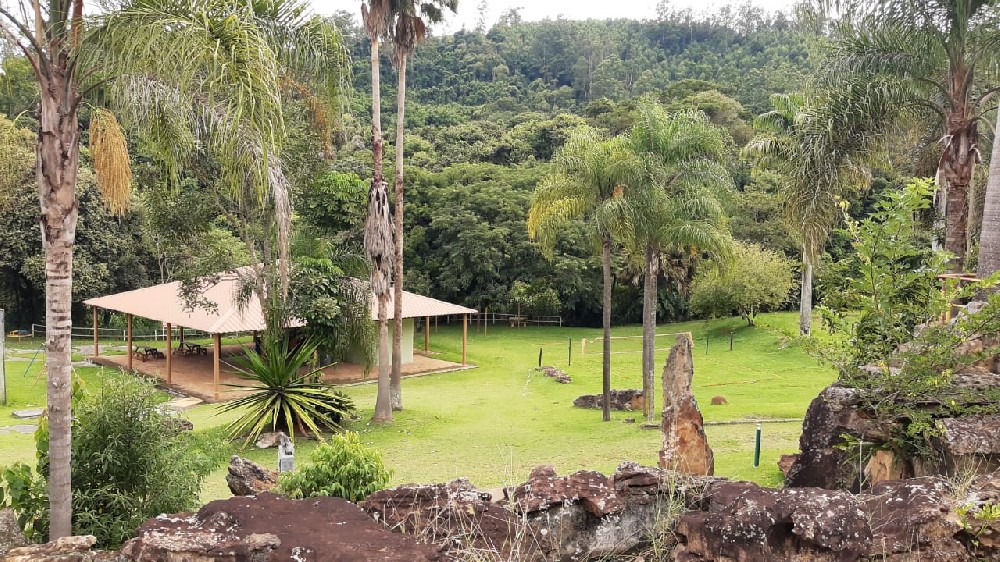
{"points": [[131, 462]]}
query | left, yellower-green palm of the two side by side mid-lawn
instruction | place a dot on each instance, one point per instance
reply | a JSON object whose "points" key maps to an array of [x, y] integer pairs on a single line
{"points": [[589, 181]]}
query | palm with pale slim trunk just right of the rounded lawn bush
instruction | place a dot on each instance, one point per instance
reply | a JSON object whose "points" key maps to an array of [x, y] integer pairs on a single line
{"points": [[822, 147]]}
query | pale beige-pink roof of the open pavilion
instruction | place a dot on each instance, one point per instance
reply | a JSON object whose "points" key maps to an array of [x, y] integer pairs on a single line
{"points": [[163, 303]]}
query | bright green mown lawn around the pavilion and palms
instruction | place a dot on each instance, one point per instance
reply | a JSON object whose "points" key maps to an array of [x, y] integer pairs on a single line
{"points": [[496, 422]]}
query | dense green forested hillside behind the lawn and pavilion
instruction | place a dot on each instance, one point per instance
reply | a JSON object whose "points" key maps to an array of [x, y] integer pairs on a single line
{"points": [[486, 113]]}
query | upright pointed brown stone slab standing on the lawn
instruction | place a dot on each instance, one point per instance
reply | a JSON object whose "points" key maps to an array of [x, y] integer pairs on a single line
{"points": [[685, 446]]}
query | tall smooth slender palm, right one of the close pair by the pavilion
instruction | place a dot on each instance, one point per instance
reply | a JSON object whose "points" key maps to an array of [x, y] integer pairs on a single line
{"points": [[410, 29]]}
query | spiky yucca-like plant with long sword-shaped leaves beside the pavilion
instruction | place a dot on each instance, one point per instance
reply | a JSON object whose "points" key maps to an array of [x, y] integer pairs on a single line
{"points": [[285, 394]]}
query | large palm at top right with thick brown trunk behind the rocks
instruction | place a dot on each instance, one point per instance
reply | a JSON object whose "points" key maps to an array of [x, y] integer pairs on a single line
{"points": [[938, 51]]}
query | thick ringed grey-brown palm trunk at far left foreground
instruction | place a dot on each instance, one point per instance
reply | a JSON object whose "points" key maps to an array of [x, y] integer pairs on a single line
{"points": [[57, 161]]}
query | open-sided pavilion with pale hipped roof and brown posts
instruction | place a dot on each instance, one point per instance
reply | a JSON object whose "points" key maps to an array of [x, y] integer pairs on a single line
{"points": [[163, 303]]}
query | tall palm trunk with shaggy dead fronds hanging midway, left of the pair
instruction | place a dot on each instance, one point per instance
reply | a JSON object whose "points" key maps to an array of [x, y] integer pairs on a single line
{"points": [[377, 16]]}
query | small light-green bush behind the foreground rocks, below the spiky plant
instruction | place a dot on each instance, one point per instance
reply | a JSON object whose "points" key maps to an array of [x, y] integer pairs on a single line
{"points": [[342, 467]]}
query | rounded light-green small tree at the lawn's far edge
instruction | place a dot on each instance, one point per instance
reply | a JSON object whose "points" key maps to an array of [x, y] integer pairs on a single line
{"points": [[755, 279]]}
